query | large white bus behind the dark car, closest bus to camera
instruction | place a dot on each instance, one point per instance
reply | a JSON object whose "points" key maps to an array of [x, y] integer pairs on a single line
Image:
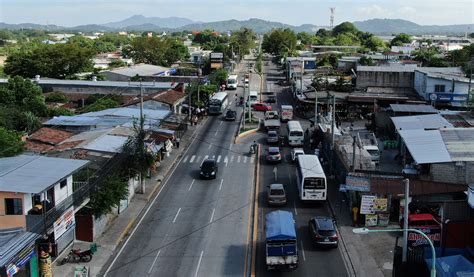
{"points": [[311, 180]]}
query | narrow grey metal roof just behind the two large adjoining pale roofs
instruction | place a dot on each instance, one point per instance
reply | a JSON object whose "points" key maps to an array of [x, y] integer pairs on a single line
{"points": [[428, 121]]}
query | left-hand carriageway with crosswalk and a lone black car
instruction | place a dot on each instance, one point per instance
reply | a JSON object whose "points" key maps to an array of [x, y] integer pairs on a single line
{"points": [[197, 227]]}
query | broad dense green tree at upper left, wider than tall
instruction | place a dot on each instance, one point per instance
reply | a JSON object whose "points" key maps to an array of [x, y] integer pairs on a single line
{"points": [[59, 61]]}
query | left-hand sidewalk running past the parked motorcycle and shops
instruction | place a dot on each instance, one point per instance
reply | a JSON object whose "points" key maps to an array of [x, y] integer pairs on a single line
{"points": [[123, 224]]}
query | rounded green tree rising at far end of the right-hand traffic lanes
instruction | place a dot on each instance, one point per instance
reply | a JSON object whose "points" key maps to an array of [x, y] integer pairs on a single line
{"points": [[280, 42]]}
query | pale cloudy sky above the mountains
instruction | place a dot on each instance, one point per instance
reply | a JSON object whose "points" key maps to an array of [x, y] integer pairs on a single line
{"points": [[295, 12]]}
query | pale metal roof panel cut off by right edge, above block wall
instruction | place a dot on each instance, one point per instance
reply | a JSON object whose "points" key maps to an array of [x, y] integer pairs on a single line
{"points": [[459, 143]]}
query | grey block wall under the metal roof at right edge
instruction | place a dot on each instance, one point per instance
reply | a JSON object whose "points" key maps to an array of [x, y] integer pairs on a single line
{"points": [[456, 173]]}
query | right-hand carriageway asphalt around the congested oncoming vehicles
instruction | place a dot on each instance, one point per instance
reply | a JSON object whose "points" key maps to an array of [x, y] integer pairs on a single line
{"points": [[313, 261]]}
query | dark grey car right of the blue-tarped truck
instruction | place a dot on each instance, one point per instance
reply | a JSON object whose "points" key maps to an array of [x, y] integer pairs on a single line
{"points": [[323, 232]]}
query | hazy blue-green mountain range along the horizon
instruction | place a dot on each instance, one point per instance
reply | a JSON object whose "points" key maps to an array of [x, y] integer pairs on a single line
{"points": [[173, 24]]}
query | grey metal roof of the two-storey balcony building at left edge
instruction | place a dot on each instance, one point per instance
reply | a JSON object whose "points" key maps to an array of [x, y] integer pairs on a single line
{"points": [[34, 174]]}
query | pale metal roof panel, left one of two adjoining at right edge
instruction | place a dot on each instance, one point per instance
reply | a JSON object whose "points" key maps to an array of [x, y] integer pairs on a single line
{"points": [[425, 146]]}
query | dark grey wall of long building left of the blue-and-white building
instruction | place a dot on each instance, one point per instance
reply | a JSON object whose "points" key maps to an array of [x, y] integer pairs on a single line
{"points": [[384, 79]]}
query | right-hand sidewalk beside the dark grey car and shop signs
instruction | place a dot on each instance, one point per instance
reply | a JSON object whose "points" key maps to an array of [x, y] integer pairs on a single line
{"points": [[364, 255]]}
